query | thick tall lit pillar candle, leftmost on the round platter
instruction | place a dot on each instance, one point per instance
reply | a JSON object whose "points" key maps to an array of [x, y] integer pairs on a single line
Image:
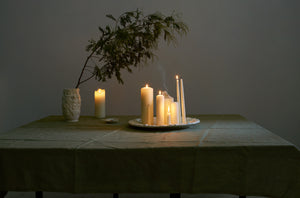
{"points": [[147, 105]]}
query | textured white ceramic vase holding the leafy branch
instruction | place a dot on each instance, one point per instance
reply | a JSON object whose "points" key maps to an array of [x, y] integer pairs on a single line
{"points": [[71, 103]]}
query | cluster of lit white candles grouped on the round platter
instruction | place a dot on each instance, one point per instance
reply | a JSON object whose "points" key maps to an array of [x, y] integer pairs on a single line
{"points": [[168, 111]]}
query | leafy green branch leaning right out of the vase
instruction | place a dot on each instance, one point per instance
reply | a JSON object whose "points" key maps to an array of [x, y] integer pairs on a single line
{"points": [[131, 41]]}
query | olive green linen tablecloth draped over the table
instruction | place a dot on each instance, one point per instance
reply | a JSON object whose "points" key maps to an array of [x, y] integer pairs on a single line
{"points": [[223, 154]]}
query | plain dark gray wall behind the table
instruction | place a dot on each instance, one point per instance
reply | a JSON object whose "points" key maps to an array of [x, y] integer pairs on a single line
{"points": [[240, 57]]}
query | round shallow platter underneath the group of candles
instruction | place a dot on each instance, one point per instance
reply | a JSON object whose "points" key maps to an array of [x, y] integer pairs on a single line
{"points": [[138, 124]]}
